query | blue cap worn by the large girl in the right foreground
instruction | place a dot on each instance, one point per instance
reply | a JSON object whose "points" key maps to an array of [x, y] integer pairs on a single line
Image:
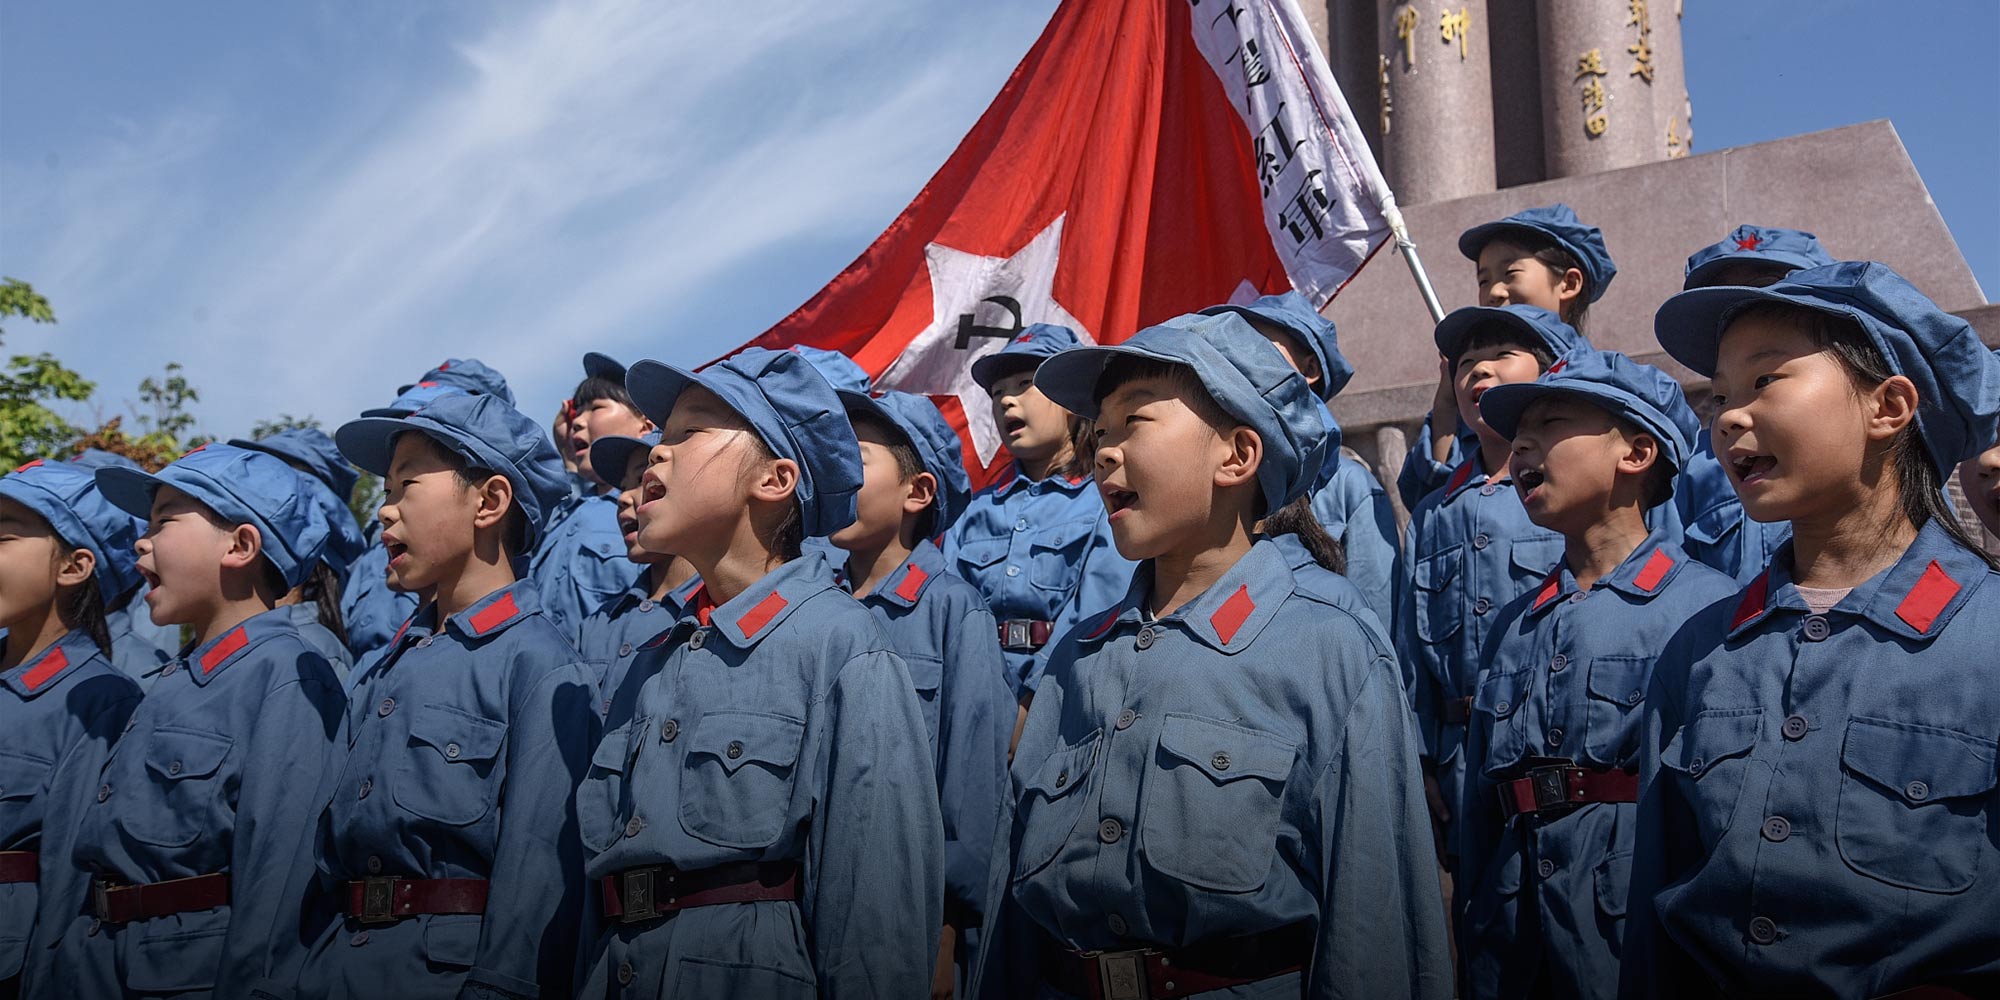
{"points": [[1957, 377]]}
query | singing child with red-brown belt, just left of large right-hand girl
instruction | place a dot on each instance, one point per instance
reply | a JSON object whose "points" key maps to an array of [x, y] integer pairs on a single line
{"points": [[1545, 829]]}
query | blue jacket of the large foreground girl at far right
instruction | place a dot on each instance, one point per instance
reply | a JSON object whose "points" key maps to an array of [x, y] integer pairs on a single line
{"points": [[1819, 807]]}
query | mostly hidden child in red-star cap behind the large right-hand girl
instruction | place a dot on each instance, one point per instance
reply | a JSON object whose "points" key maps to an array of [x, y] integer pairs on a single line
{"points": [[1717, 529]]}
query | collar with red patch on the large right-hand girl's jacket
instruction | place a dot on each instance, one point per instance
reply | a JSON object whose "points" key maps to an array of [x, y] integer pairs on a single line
{"points": [[1913, 599]]}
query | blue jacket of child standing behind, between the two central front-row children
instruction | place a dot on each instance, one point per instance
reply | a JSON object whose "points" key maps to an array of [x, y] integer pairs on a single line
{"points": [[949, 643]]}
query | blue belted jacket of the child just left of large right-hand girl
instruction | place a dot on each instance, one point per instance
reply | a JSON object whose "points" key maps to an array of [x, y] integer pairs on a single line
{"points": [[1565, 677]]}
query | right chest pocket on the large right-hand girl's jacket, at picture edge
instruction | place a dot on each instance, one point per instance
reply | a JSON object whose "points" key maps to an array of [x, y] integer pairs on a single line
{"points": [[1915, 805]]}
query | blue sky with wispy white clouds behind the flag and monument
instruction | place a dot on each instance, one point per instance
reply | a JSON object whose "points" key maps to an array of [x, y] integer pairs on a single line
{"points": [[309, 203]]}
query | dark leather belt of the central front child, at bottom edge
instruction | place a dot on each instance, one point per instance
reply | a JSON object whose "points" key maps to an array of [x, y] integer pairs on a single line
{"points": [[1171, 973]]}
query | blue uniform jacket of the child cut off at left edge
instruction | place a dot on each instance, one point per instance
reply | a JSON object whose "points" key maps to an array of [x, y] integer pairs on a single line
{"points": [[61, 711]]}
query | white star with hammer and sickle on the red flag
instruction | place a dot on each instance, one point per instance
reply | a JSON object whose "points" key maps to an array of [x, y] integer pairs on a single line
{"points": [[963, 285]]}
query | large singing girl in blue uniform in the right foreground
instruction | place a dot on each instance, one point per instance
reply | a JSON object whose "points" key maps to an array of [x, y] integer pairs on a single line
{"points": [[1819, 809]]}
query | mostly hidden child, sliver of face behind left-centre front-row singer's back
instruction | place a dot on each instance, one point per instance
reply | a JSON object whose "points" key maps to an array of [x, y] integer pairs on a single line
{"points": [[621, 627]]}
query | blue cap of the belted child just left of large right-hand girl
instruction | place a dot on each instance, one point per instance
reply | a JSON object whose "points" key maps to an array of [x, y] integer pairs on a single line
{"points": [[1609, 381]]}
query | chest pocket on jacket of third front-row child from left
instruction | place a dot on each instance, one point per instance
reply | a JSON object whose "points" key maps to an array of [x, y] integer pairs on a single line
{"points": [[451, 773]]}
